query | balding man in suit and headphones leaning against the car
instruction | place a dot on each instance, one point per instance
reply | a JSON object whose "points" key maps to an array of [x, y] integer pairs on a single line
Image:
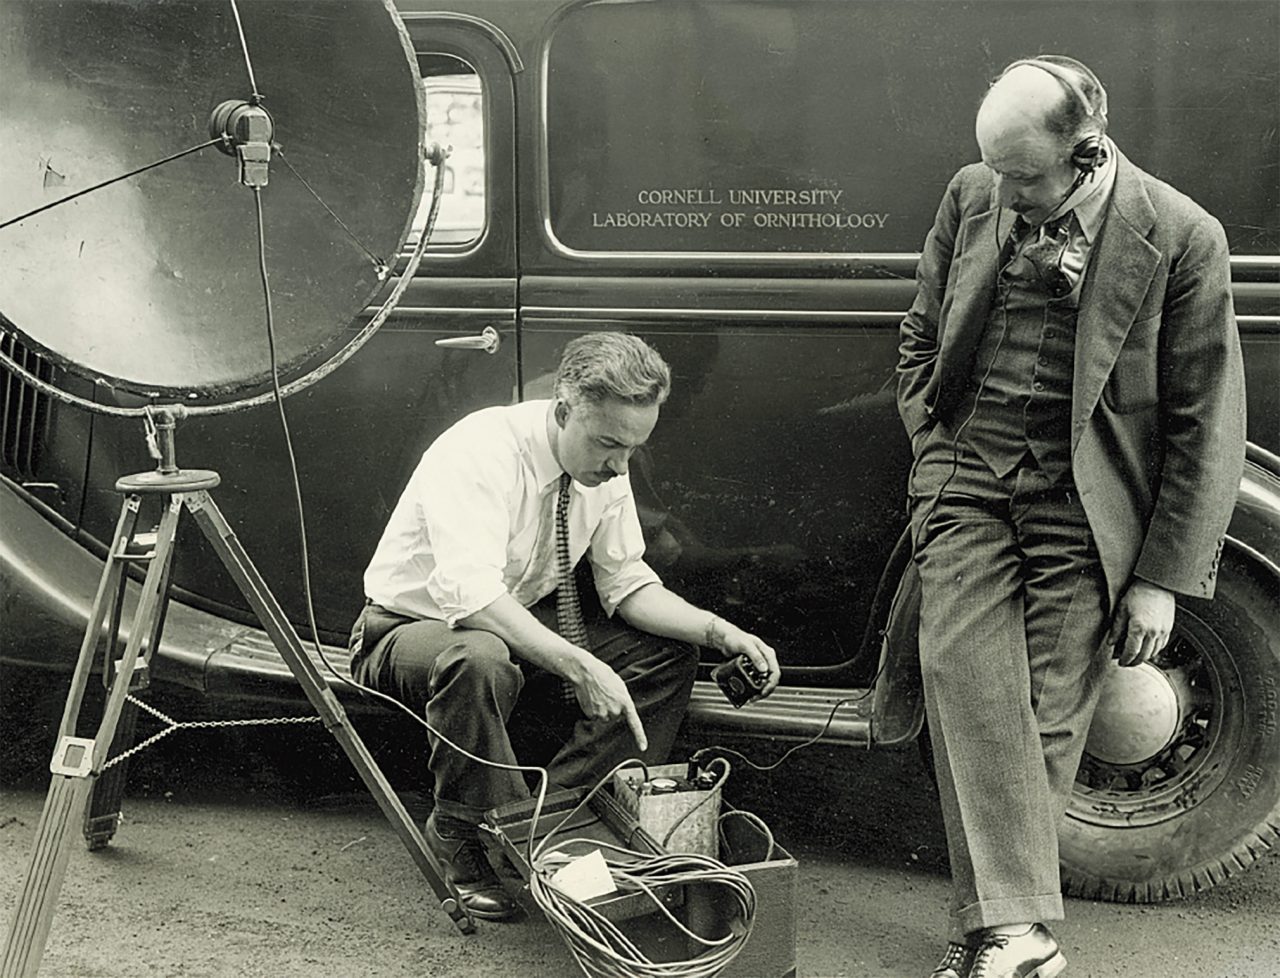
{"points": [[1072, 383]]}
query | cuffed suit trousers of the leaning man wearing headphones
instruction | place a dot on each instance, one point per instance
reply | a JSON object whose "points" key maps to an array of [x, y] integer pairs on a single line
{"points": [[1013, 619]]}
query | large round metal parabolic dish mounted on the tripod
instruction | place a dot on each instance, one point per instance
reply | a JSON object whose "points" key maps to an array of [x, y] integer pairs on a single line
{"points": [[153, 284]]}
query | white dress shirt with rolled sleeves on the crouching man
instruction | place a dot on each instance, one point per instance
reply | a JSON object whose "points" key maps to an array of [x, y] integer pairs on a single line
{"points": [[478, 519]]}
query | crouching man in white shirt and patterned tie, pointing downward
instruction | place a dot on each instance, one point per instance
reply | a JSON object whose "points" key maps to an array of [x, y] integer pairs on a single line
{"points": [[473, 602]]}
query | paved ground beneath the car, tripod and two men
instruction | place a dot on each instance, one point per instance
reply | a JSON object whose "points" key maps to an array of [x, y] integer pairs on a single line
{"points": [[254, 853]]}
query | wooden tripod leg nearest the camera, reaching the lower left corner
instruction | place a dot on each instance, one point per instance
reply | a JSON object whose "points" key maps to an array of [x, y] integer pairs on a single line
{"points": [[77, 761]]}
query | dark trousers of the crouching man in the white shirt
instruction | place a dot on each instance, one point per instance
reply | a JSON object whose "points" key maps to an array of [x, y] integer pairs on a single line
{"points": [[473, 691]]}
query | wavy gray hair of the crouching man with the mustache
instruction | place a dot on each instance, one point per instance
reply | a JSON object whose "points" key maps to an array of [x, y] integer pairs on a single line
{"points": [[598, 367]]}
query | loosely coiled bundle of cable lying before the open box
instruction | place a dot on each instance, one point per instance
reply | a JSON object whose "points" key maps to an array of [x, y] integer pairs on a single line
{"points": [[601, 948]]}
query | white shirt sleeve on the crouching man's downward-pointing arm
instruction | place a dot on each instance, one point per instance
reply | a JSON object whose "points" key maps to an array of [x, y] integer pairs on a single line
{"points": [[467, 518]]}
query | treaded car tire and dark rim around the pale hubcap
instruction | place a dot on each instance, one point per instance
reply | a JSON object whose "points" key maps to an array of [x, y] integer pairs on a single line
{"points": [[1208, 805]]}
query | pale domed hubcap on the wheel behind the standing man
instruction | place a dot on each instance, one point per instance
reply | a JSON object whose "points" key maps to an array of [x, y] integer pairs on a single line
{"points": [[1137, 719]]}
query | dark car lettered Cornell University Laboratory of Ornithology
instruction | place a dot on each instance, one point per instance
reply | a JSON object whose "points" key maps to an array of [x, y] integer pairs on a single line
{"points": [[747, 185]]}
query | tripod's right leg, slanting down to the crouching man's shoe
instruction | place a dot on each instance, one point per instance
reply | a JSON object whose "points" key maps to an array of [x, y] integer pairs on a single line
{"points": [[287, 643]]}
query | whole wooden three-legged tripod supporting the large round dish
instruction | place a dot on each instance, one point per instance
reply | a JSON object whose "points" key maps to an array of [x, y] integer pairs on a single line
{"points": [[79, 762]]}
